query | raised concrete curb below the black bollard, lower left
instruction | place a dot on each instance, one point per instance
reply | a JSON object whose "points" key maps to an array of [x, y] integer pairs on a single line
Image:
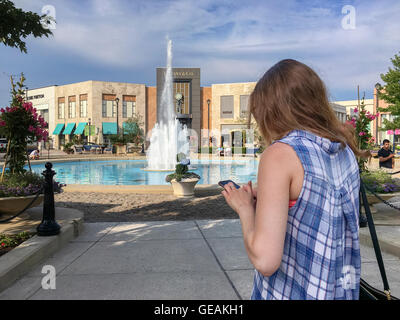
{"points": [[20, 260]]}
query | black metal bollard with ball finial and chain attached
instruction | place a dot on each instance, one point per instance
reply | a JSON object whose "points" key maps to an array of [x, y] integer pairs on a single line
{"points": [[48, 226]]}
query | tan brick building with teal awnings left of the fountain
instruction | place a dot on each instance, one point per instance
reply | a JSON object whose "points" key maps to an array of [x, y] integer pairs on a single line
{"points": [[101, 106]]}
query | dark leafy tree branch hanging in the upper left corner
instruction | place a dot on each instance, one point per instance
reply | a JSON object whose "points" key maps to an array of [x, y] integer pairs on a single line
{"points": [[16, 24]]}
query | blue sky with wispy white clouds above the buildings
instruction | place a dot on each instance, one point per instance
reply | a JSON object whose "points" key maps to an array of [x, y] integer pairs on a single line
{"points": [[231, 41]]}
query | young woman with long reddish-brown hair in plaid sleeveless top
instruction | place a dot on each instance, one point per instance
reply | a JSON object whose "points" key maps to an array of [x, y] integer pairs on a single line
{"points": [[300, 227]]}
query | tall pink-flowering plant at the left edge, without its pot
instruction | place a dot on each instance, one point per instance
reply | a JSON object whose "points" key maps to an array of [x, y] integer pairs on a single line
{"points": [[21, 124]]}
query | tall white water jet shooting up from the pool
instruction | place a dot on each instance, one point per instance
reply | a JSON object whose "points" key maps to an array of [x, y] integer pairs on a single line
{"points": [[168, 137]]}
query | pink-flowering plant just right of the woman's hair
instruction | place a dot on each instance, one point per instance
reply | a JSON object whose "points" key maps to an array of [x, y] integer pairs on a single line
{"points": [[360, 121]]}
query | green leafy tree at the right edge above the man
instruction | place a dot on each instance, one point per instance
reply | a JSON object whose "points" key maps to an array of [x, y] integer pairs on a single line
{"points": [[391, 95]]}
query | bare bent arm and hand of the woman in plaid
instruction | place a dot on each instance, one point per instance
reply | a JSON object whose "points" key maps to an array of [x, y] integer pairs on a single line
{"points": [[264, 228]]}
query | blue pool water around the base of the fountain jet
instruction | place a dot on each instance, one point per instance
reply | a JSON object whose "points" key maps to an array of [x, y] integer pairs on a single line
{"points": [[130, 172]]}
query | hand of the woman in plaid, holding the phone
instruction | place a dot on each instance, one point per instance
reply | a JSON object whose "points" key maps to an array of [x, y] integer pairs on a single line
{"points": [[241, 200]]}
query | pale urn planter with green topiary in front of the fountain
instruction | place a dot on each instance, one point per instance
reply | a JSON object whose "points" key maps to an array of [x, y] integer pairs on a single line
{"points": [[183, 181]]}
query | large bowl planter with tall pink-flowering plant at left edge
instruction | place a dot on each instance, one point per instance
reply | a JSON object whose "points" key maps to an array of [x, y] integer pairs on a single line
{"points": [[20, 124]]}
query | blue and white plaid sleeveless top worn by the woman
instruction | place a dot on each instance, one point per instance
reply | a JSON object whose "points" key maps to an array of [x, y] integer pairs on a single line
{"points": [[321, 256]]}
